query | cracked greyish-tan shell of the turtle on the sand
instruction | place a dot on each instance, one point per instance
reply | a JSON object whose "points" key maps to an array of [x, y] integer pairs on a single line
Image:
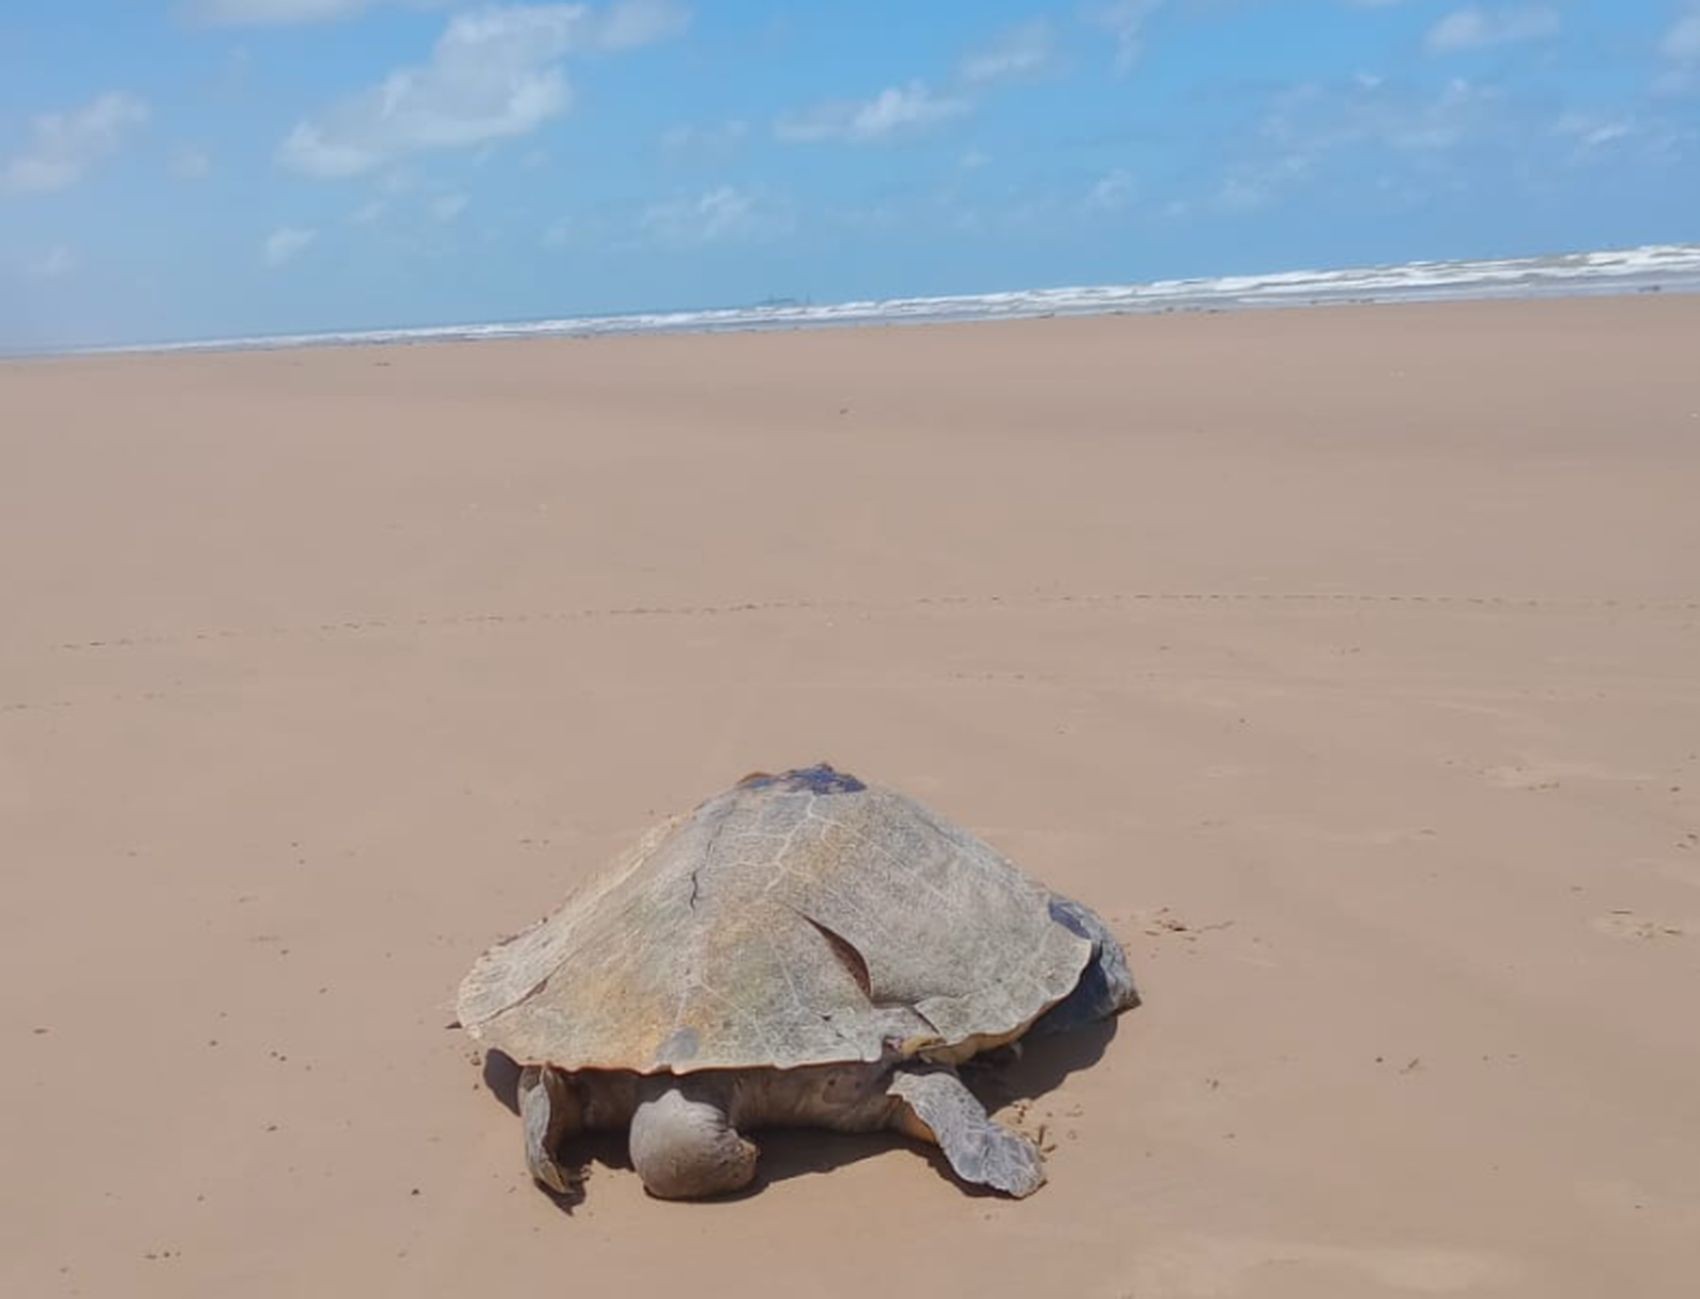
{"points": [[800, 919]]}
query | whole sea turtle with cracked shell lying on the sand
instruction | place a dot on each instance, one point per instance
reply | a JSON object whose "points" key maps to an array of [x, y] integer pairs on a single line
{"points": [[802, 951]]}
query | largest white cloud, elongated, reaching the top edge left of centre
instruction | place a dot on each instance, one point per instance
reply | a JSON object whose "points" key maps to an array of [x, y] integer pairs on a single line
{"points": [[494, 74]]}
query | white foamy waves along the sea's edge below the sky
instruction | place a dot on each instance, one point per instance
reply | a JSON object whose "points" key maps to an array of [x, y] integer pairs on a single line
{"points": [[1655, 268]]}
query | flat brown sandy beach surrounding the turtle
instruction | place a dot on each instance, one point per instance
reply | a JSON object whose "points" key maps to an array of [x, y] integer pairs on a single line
{"points": [[1349, 661]]}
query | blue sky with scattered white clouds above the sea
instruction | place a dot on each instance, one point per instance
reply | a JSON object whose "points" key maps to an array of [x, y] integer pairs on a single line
{"points": [[229, 167]]}
